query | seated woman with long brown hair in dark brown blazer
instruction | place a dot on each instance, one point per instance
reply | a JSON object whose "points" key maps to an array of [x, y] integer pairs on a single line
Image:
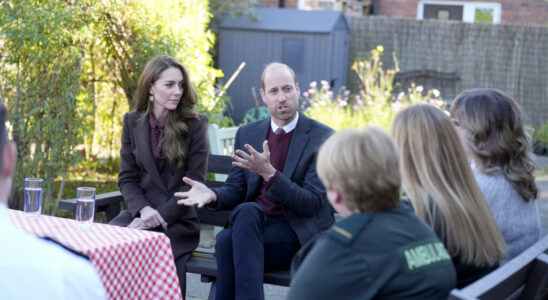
{"points": [[163, 140]]}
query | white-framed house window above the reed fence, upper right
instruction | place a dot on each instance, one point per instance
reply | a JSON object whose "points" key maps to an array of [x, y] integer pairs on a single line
{"points": [[472, 12]]}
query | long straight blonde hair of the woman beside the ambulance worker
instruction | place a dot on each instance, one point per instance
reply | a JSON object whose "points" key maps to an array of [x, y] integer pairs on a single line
{"points": [[441, 186]]}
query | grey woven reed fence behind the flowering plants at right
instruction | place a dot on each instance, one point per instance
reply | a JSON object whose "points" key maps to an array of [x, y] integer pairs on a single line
{"points": [[512, 58]]}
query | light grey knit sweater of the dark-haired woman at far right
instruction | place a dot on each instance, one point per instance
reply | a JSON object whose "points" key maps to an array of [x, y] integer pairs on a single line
{"points": [[519, 221]]}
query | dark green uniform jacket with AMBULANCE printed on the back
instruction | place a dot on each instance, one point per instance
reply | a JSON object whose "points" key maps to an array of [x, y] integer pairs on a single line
{"points": [[387, 255]]}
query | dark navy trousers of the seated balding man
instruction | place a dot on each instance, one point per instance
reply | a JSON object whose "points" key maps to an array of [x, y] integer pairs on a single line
{"points": [[252, 243]]}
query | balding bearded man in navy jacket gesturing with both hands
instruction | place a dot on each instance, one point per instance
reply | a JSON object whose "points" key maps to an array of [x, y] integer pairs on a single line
{"points": [[278, 201]]}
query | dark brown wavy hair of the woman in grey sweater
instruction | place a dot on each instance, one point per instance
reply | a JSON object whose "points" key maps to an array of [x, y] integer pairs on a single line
{"points": [[492, 124]]}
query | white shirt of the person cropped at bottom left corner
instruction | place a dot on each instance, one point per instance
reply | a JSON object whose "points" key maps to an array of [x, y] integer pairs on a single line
{"points": [[31, 268]]}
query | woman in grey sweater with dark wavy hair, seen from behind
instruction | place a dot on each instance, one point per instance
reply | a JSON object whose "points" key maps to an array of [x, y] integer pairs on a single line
{"points": [[491, 125]]}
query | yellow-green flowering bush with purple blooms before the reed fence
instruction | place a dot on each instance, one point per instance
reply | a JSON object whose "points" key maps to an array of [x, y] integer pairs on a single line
{"points": [[374, 104]]}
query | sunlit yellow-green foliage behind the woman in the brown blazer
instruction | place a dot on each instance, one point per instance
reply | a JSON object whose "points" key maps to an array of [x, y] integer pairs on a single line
{"points": [[68, 71]]}
